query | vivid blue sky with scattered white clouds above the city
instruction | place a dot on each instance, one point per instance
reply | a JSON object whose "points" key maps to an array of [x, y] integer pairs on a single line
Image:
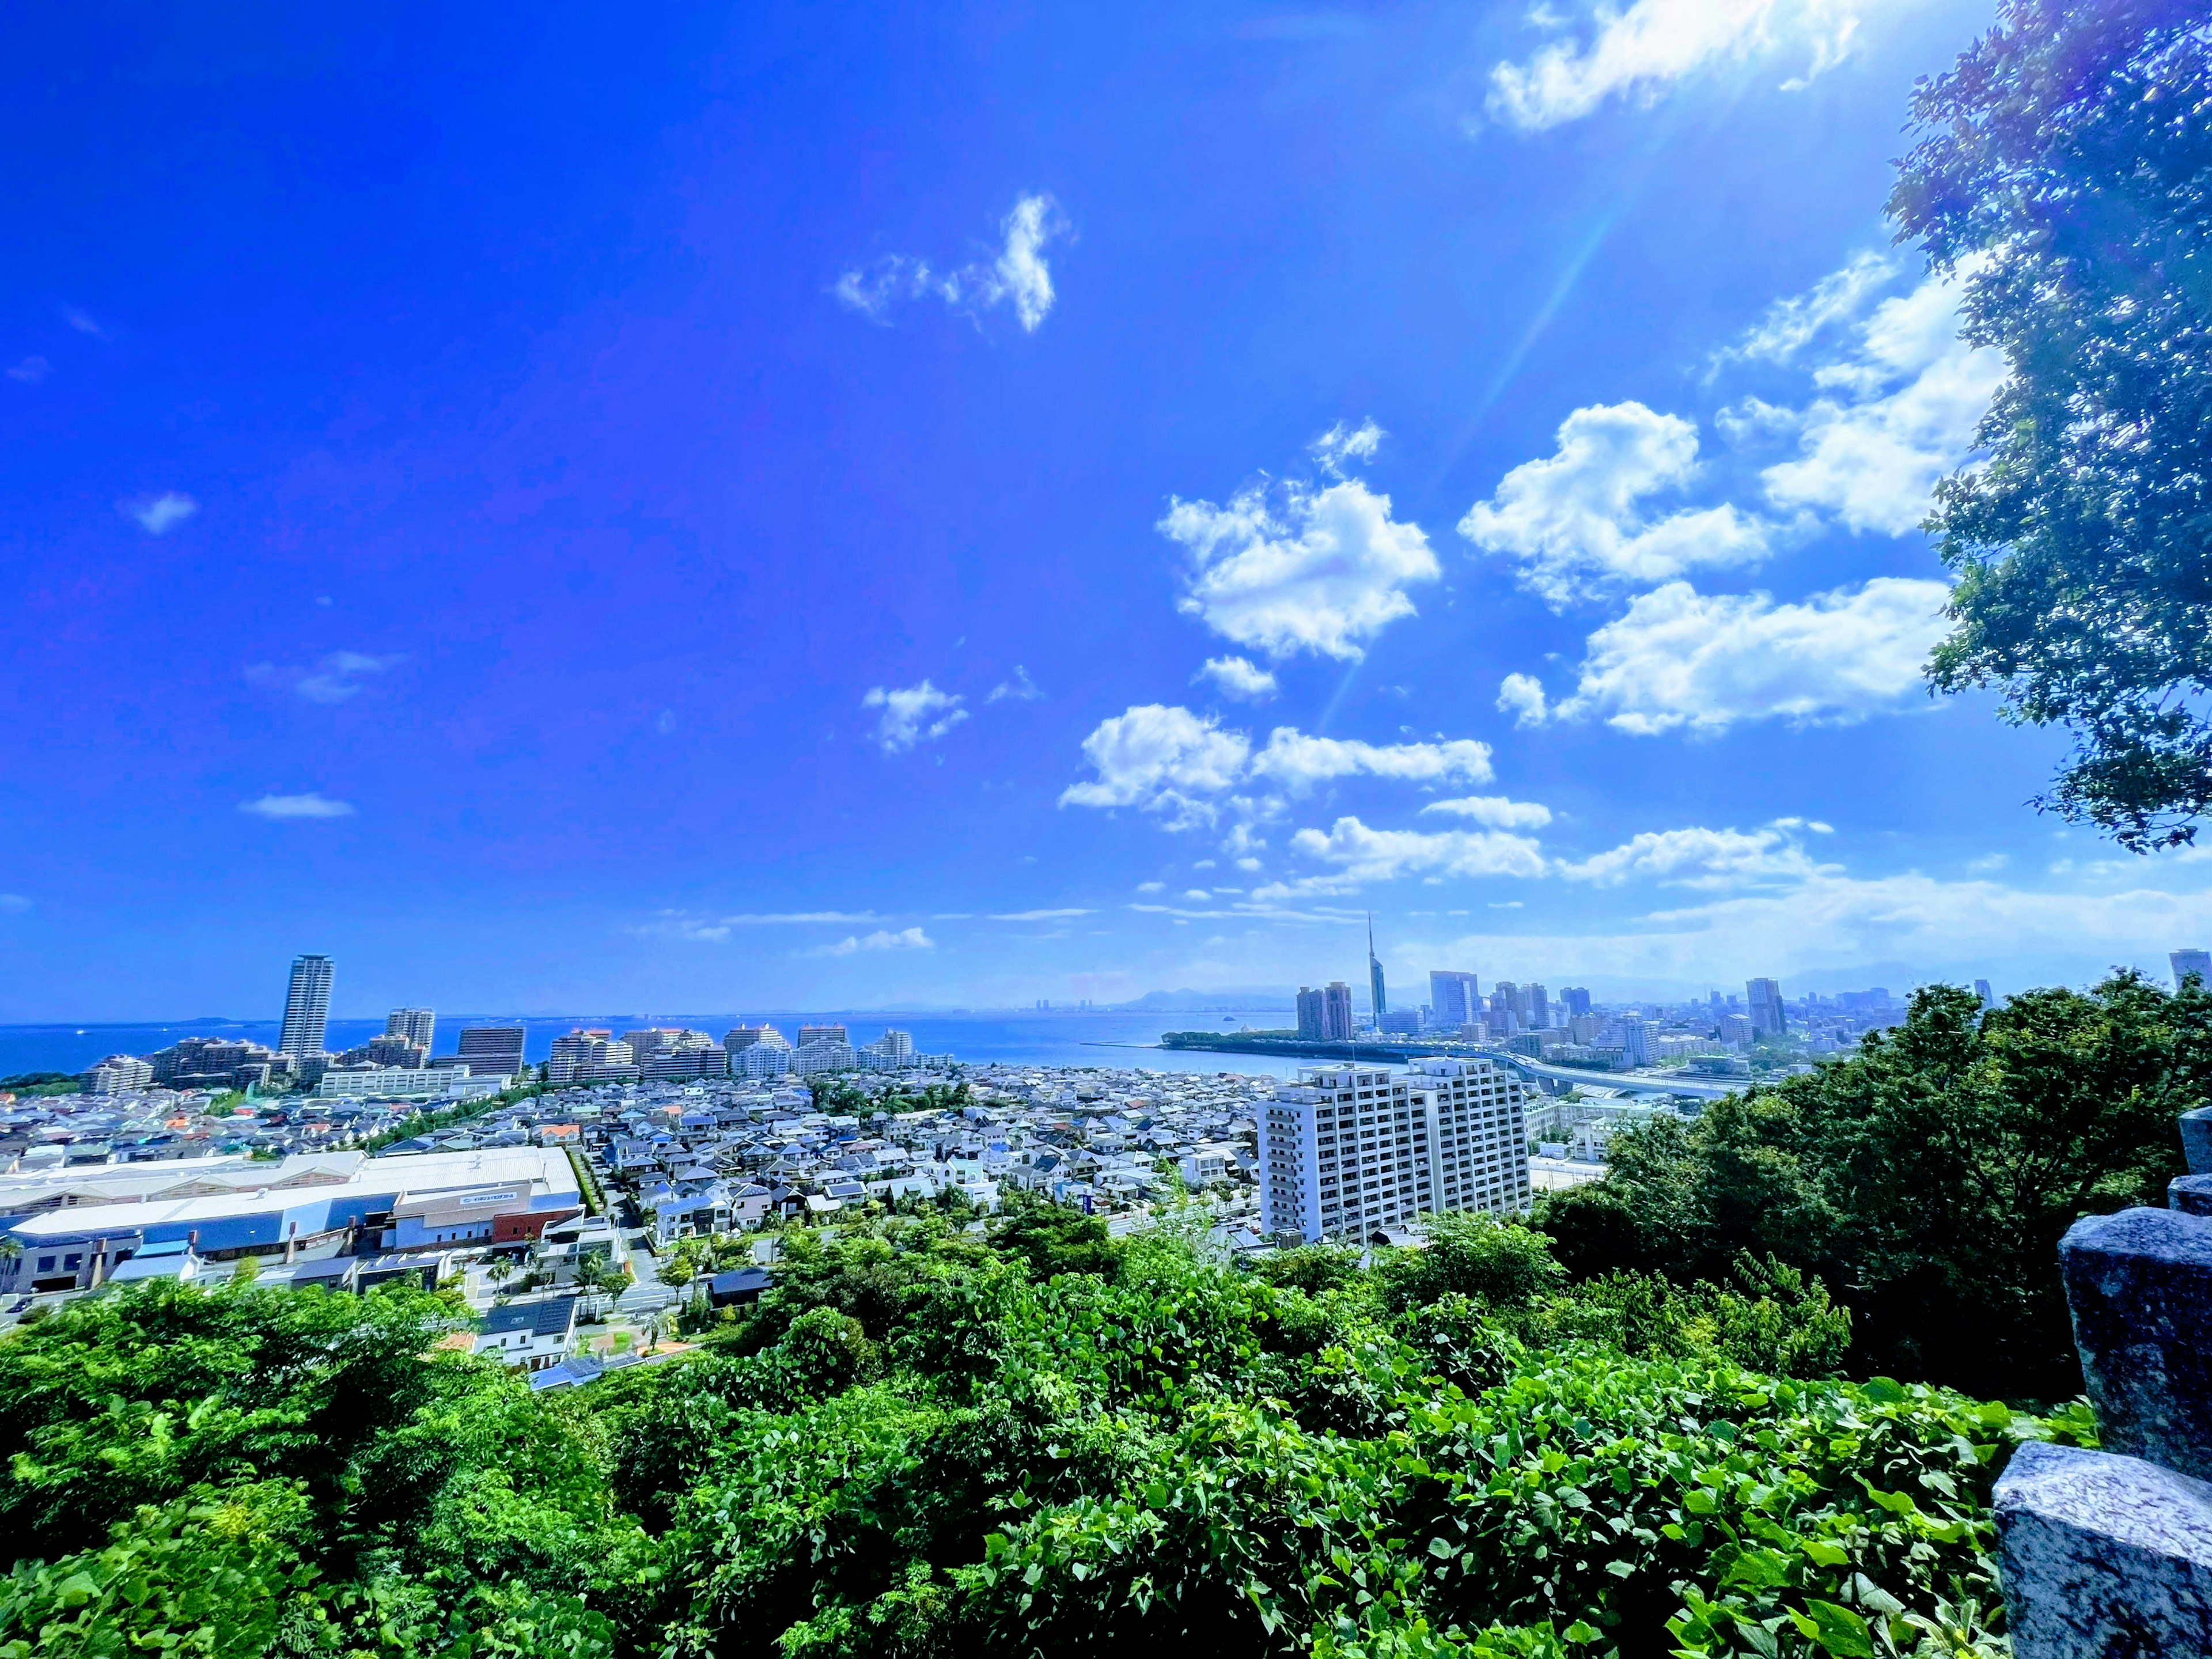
{"points": [[820, 508]]}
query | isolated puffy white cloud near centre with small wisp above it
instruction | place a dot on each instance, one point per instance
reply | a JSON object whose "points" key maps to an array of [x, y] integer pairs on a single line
{"points": [[1300, 567]]}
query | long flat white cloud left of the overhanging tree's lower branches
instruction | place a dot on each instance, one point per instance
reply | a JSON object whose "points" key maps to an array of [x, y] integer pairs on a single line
{"points": [[1700, 662]]}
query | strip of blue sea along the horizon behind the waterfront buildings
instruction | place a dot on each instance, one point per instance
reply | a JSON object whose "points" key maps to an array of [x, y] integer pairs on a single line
{"points": [[1025, 1039]]}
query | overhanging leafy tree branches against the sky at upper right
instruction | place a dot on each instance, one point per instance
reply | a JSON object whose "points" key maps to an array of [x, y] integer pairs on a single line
{"points": [[2065, 169]]}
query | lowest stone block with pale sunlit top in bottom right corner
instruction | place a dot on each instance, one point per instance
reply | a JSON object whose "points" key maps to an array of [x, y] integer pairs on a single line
{"points": [[2105, 1556]]}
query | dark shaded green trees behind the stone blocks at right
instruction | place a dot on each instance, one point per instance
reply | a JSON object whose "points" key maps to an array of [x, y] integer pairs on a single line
{"points": [[1928, 1180]]}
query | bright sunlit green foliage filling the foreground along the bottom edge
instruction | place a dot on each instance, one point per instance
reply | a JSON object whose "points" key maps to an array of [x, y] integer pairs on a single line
{"points": [[1010, 1439]]}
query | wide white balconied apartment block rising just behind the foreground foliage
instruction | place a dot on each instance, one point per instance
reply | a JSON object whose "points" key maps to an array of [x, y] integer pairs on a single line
{"points": [[1355, 1149]]}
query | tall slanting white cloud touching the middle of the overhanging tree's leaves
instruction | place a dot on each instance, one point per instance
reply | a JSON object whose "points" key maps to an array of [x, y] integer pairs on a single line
{"points": [[1899, 415]]}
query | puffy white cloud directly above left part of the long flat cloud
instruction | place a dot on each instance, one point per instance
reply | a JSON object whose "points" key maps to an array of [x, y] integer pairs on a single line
{"points": [[1576, 521]]}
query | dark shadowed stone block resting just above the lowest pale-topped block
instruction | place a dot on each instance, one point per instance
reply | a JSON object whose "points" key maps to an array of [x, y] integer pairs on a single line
{"points": [[2140, 1288]]}
